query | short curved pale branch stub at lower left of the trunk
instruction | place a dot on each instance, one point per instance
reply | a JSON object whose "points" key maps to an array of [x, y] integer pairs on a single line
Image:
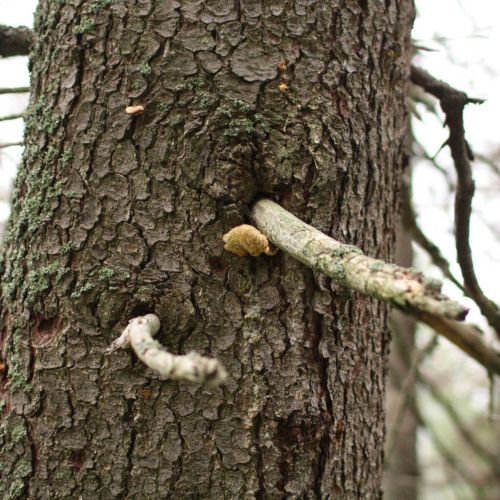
{"points": [[190, 367]]}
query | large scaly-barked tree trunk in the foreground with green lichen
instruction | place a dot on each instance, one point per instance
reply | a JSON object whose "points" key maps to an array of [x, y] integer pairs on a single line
{"points": [[117, 215]]}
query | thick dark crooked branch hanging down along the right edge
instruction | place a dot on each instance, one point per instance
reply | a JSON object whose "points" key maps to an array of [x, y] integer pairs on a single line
{"points": [[452, 103]]}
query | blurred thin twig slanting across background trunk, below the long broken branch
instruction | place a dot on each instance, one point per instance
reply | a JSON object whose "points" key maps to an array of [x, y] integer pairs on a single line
{"points": [[404, 395]]}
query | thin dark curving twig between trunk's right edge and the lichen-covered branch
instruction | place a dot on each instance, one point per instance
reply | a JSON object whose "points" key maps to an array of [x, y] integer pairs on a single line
{"points": [[418, 236]]}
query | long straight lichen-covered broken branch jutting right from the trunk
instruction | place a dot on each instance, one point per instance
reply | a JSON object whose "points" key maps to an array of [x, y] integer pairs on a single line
{"points": [[404, 288]]}
